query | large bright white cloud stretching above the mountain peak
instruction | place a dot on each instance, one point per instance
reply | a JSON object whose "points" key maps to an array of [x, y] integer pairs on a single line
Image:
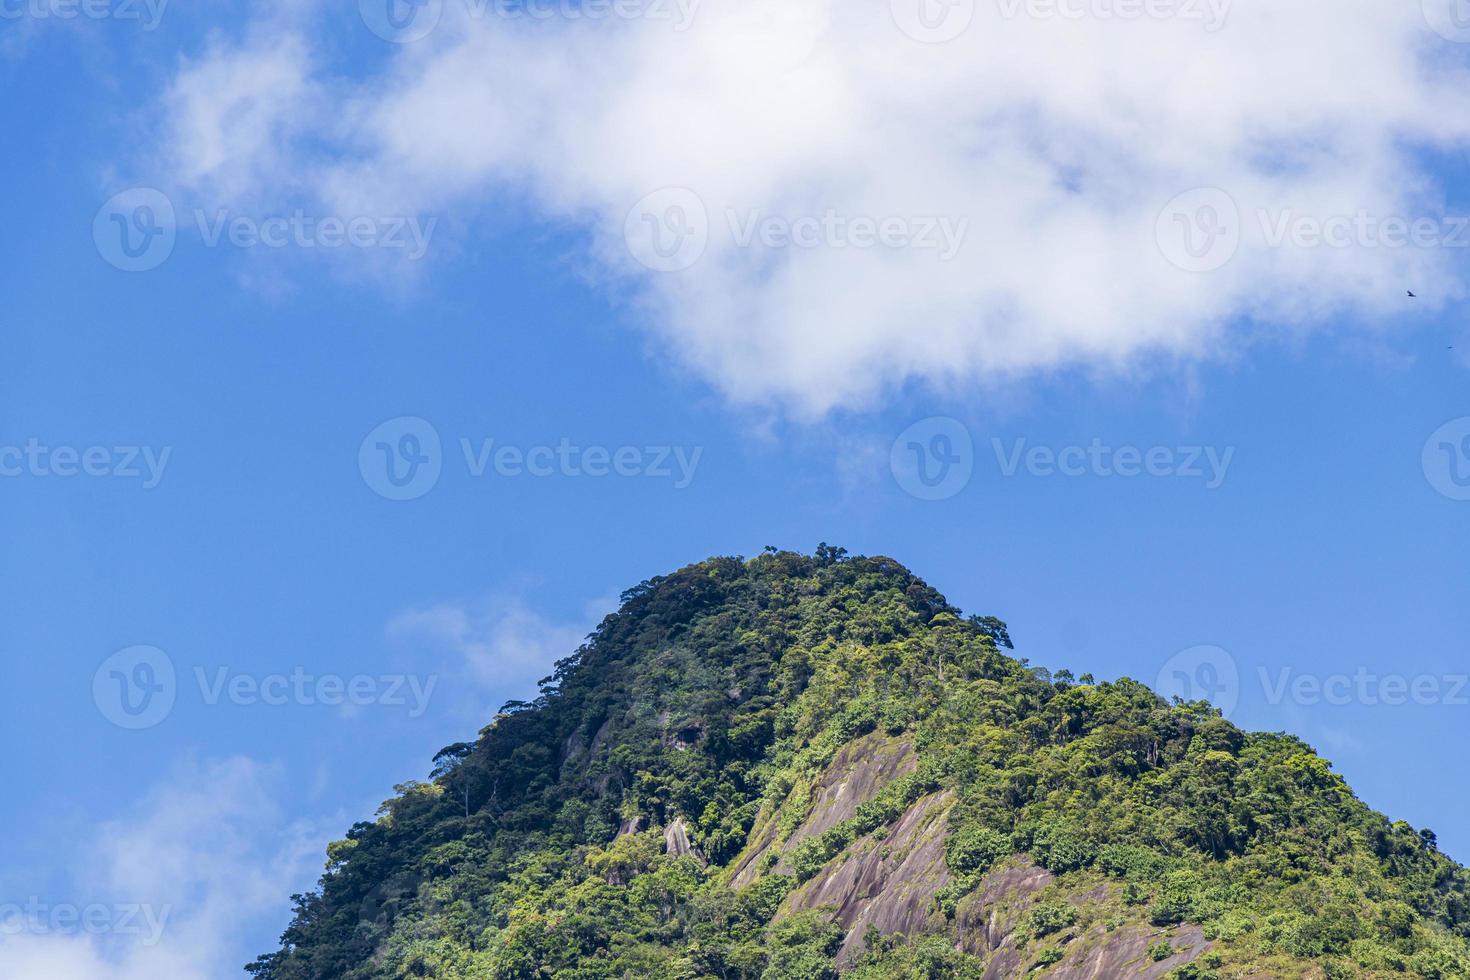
{"points": [[1059, 140]]}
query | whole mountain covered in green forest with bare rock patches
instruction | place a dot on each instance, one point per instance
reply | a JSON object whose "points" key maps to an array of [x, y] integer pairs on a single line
{"points": [[795, 766]]}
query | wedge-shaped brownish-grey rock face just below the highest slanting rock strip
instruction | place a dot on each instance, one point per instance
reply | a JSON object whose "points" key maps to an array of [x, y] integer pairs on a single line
{"points": [[886, 884]]}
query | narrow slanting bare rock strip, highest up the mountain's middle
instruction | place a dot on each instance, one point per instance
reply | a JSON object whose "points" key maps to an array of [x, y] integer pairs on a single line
{"points": [[856, 775]]}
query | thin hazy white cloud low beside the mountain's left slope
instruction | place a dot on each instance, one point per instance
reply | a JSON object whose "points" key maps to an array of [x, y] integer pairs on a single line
{"points": [[204, 860]]}
